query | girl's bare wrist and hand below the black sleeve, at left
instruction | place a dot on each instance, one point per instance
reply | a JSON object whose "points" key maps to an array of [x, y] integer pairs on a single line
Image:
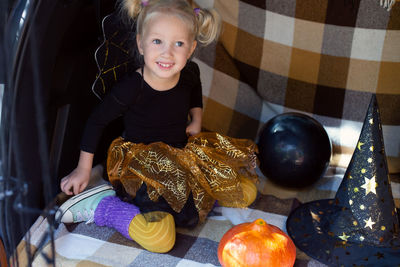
{"points": [[78, 179]]}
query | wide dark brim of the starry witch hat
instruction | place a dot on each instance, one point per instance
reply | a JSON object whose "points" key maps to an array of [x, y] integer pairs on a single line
{"points": [[307, 226]]}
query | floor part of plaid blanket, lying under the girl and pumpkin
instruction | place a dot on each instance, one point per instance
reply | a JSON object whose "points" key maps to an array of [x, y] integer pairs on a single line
{"points": [[90, 245]]}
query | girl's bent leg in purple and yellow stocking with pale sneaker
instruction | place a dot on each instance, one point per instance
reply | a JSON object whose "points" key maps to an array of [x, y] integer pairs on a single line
{"points": [[154, 231]]}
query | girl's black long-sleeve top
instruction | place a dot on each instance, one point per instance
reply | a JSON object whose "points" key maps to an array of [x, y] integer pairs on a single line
{"points": [[149, 115]]}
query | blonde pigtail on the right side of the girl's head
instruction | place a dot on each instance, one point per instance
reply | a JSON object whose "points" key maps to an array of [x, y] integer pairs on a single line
{"points": [[209, 25]]}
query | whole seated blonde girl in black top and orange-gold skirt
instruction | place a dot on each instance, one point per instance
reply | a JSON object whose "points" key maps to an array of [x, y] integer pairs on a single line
{"points": [[165, 170]]}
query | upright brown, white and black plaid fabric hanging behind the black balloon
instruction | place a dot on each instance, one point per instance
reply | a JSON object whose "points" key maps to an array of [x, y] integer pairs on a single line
{"points": [[323, 58]]}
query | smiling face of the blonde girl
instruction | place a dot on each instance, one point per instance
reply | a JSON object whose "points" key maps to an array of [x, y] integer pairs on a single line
{"points": [[166, 45]]}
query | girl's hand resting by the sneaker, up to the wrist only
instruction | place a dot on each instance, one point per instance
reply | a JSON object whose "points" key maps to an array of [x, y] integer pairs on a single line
{"points": [[75, 182]]}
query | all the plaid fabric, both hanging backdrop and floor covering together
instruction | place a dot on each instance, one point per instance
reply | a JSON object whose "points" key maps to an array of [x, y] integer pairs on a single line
{"points": [[323, 58]]}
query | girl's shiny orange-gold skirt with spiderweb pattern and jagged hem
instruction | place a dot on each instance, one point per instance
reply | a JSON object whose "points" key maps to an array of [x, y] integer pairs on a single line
{"points": [[210, 166]]}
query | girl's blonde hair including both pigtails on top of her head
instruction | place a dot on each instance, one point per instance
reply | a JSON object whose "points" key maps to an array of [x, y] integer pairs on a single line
{"points": [[204, 24]]}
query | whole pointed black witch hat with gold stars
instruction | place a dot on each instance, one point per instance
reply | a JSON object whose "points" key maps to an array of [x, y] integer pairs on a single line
{"points": [[360, 226]]}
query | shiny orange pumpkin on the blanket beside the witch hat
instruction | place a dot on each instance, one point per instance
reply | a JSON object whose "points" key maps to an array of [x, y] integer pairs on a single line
{"points": [[256, 244]]}
